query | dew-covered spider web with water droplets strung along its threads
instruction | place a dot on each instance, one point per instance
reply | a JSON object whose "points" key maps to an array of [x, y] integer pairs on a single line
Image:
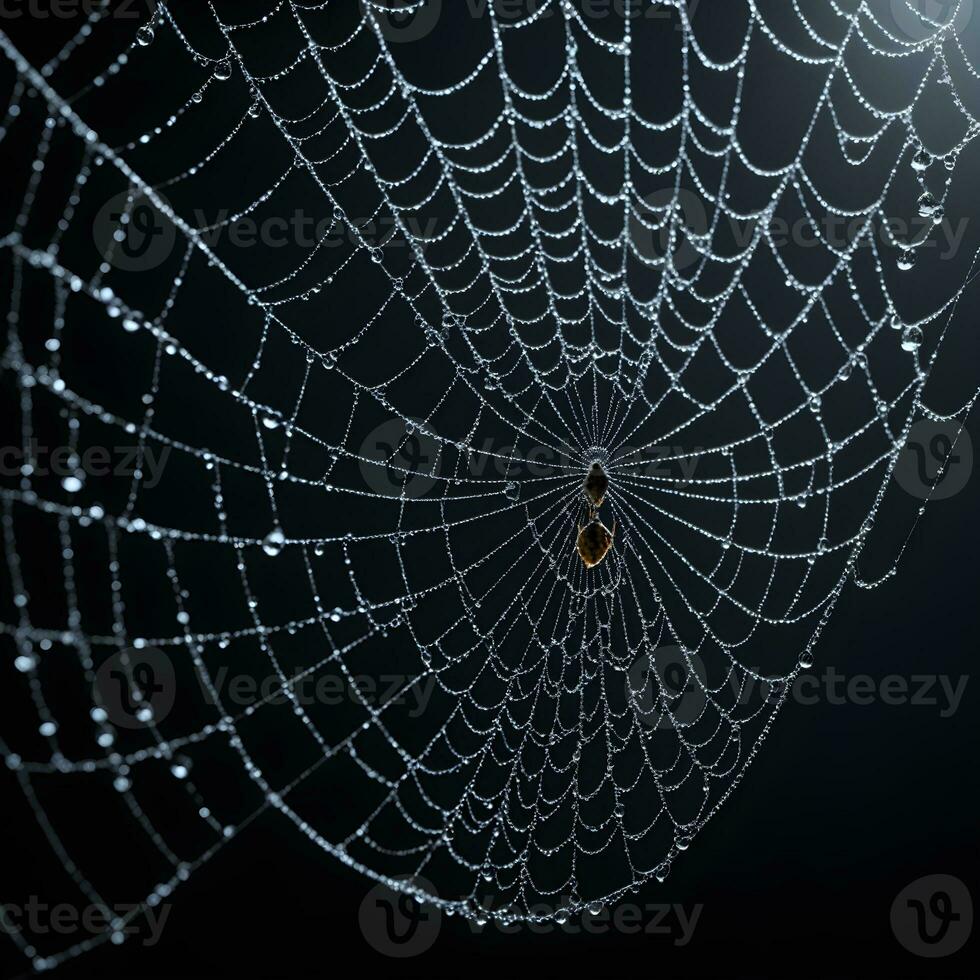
{"points": [[532, 242]]}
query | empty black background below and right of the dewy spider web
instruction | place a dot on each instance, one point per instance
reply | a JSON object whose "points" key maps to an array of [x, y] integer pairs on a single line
{"points": [[846, 805]]}
